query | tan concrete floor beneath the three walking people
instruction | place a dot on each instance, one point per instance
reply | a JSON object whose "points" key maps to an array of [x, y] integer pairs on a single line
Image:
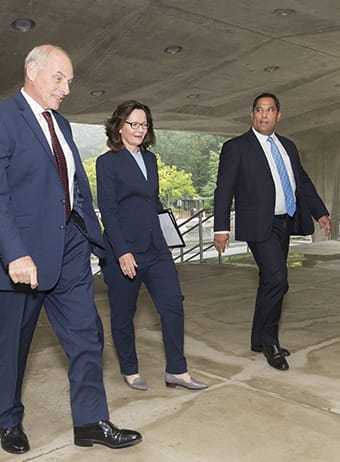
{"points": [[250, 413]]}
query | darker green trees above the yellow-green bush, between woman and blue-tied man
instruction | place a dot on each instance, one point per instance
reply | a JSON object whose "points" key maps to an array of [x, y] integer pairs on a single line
{"points": [[190, 152]]}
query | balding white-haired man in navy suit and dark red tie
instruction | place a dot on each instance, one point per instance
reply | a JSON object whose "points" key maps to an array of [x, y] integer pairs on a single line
{"points": [[48, 229]]}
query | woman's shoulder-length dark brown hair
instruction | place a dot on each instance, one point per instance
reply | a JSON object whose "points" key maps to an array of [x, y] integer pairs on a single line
{"points": [[117, 120]]}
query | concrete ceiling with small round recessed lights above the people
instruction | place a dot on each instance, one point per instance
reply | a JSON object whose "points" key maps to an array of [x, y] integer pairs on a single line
{"points": [[118, 47]]}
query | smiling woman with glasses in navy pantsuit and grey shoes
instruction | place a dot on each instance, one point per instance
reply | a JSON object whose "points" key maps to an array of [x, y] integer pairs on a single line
{"points": [[136, 252]]}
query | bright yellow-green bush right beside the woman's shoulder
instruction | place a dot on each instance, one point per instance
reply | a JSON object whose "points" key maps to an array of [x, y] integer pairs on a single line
{"points": [[174, 184]]}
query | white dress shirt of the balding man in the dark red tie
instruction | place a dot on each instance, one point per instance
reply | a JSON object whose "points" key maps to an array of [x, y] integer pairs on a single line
{"points": [[37, 111]]}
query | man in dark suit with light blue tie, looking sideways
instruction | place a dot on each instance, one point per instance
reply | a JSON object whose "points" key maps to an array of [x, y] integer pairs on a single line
{"points": [[274, 198]]}
